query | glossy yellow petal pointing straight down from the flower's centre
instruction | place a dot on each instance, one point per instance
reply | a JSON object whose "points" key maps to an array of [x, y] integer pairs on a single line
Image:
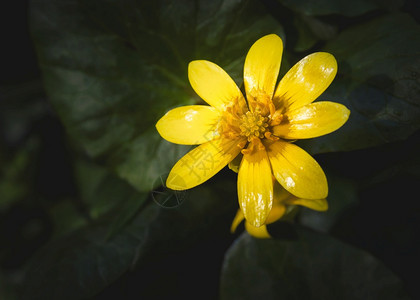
{"points": [[255, 187]]}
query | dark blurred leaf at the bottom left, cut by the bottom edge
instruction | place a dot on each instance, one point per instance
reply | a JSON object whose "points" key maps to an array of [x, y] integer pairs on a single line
{"points": [[81, 264]]}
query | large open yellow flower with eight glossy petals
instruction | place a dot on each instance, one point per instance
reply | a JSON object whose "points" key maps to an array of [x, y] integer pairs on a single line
{"points": [[262, 127]]}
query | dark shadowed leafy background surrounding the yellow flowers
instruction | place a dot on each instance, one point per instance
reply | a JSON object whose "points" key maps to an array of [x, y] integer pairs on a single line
{"points": [[82, 85]]}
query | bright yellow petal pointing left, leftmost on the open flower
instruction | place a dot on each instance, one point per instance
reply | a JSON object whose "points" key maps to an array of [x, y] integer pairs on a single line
{"points": [[189, 125]]}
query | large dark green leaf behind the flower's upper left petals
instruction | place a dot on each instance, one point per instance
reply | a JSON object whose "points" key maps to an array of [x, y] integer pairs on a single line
{"points": [[113, 68]]}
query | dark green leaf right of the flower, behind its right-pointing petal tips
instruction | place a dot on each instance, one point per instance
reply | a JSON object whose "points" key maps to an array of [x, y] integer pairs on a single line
{"points": [[378, 81]]}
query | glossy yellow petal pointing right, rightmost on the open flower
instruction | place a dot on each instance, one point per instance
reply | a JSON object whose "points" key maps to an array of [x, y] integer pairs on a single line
{"points": [[313, 120]]}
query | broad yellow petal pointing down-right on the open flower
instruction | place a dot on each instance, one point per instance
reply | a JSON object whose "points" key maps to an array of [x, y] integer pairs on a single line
{"points": [[297, 171]]}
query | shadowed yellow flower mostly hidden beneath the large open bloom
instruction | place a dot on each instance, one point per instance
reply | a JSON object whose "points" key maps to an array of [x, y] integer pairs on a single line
{"points": [[284, 204]]}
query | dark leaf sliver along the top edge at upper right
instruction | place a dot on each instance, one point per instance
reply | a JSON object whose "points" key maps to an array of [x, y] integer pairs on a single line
{"points": [[341, 7]]}
